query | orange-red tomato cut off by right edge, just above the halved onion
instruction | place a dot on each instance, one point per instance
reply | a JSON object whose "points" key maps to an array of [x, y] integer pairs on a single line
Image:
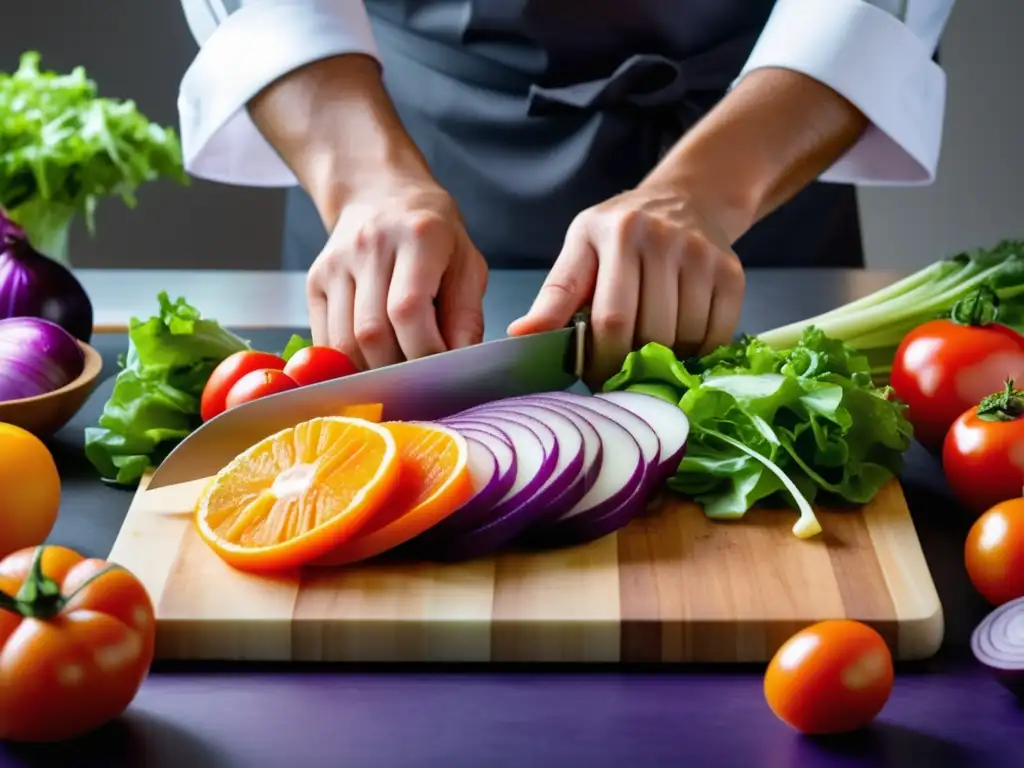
{"points": [[995, 552]]}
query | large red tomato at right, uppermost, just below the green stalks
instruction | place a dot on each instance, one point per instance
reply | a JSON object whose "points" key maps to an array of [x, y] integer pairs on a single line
{"points": [[944, 368]]}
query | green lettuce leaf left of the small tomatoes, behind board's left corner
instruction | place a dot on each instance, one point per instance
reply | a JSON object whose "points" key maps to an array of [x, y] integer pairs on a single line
{"points": [[156, 398]]}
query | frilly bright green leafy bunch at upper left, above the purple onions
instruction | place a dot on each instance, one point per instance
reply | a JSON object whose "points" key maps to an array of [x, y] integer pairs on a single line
{"points": [[63, 149]]}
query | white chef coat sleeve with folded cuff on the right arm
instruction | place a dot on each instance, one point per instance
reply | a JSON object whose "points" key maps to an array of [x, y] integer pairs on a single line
{"points": [[879, 56]]}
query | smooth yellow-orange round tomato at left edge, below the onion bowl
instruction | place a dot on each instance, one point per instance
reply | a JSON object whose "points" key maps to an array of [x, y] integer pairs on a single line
{"points": [[30, 490]]}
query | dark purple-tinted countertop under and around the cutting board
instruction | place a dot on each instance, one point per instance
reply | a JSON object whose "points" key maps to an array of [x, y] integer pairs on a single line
{"points": [[948, 712]]}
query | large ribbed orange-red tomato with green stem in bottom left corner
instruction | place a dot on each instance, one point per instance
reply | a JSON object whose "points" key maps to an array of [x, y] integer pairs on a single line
{"points": [[75, 647]]}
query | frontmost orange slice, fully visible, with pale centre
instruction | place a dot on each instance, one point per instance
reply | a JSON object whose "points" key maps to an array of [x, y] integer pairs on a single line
{"points": [[298, 494]]}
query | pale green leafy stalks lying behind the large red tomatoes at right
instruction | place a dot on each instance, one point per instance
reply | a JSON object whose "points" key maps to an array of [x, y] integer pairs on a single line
{"points": [[876, 324]]}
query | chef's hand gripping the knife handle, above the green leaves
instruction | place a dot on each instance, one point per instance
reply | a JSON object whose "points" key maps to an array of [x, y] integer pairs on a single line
{"points": [[655, 268]]}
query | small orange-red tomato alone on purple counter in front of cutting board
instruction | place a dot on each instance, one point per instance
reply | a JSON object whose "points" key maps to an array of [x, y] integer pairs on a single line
{"points": [[832, 677]]}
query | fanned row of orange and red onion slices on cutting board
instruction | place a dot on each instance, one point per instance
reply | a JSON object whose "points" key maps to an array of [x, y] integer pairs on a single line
{"points": [[552, 470]]}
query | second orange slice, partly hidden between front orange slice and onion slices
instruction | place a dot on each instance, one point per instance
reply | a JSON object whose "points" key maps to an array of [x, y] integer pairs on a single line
{"points": [[434, 484]]}
